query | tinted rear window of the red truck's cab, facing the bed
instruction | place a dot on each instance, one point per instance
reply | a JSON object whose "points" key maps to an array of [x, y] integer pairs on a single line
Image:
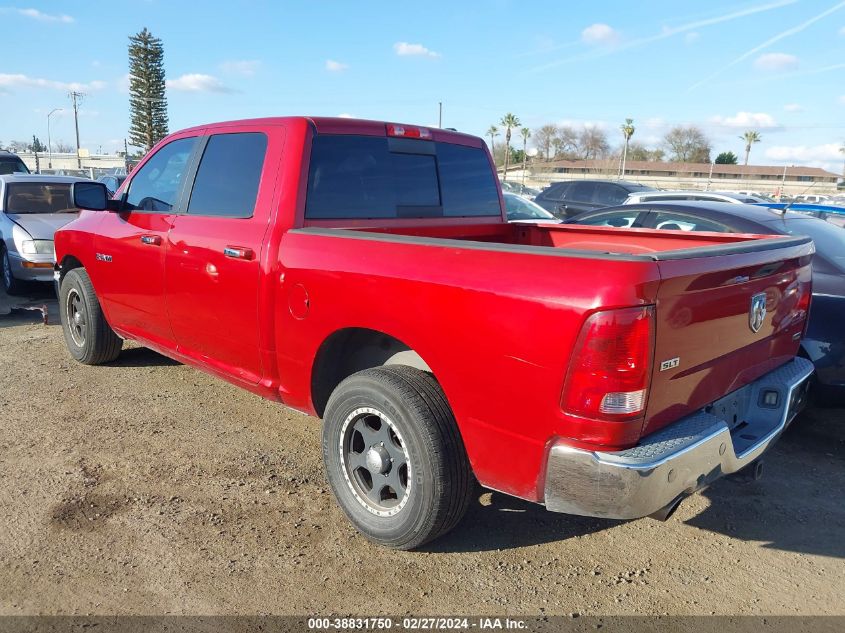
{"points": [[373, 177]]}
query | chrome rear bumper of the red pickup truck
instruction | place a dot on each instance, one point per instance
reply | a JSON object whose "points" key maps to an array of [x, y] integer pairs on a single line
{"points": [[681, 458]]}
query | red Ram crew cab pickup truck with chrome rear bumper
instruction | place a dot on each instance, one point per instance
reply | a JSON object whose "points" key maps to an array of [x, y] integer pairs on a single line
{"points": [[364, 272]]}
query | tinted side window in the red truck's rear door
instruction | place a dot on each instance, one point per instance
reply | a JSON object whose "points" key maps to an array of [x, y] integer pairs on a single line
{"points": [[228, 176]]}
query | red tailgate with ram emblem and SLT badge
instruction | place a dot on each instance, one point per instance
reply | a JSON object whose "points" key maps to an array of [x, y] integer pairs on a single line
{"points": [[724, 320]]}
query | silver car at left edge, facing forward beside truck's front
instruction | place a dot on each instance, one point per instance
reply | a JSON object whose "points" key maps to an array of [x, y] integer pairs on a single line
{"points": [[32, 209]]}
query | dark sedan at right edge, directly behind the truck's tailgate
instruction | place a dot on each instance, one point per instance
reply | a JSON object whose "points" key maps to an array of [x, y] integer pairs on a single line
{"points": [[824, 343]]}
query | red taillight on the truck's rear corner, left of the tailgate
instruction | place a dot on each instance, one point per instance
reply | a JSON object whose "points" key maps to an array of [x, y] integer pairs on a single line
{"points": [[611, 365]]}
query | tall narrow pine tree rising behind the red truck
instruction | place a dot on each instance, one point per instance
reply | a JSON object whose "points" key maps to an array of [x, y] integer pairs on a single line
{"points": [[147, 100]]}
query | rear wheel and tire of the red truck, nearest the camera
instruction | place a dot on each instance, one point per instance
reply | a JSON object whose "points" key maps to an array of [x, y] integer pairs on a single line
{"points": [[407, 421]]}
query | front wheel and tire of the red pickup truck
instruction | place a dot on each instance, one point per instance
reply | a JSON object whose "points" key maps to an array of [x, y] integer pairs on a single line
{"points": [[88, 336]]}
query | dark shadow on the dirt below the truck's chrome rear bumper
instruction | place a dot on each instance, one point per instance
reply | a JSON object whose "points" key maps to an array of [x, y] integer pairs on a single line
{"points": [[801, 488]]}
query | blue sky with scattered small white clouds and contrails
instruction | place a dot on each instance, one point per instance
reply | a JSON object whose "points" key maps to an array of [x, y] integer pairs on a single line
{"points": [[777, 66]]}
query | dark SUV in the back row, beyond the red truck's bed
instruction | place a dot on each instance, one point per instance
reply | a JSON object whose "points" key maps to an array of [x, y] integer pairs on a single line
{"points": [[571, 197]]}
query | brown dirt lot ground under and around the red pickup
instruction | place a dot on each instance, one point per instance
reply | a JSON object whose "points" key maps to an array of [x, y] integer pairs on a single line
{"points": [[148, 487]]}
